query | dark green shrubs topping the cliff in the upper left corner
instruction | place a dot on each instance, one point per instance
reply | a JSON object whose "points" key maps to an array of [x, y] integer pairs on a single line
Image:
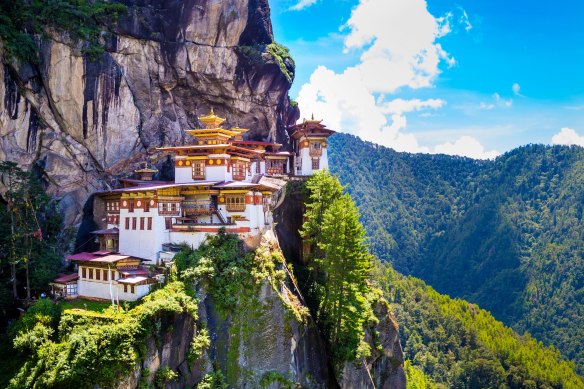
{"points": [[82, 19]]}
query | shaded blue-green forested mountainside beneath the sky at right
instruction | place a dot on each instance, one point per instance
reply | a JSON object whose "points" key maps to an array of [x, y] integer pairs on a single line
{"points": [[506, 234]]}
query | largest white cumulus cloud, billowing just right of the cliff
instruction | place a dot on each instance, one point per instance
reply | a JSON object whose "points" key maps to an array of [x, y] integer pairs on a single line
{"points": [[398, 45]]}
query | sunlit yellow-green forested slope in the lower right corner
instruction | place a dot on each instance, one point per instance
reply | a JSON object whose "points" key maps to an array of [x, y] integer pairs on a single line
{"points": [[453, 343]]}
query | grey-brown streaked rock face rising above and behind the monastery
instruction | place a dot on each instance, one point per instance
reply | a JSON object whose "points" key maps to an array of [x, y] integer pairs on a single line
{"points": [[83, 122]]}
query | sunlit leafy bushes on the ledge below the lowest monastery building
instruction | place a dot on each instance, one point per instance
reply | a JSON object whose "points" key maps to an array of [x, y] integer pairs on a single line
{"points": [[104, 346]]}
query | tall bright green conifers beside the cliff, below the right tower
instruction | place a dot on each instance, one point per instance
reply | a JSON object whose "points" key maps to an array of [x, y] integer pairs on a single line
{"points": [[340, 266]]}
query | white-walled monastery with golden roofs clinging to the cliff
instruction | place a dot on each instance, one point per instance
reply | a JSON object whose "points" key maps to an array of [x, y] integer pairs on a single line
{"points": [[222, 182]]}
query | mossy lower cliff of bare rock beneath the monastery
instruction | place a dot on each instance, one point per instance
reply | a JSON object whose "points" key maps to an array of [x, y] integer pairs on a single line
{"points": [[268, 339]]}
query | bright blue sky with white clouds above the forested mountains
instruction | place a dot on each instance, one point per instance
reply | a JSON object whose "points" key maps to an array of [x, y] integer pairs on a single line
{"points": [[472, 78]]}
